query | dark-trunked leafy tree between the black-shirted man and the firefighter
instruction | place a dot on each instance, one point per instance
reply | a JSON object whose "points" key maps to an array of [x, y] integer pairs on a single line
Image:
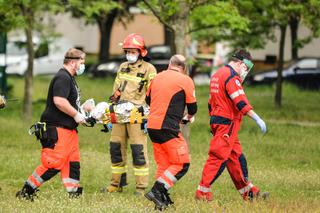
{"points": [[104, 13]]}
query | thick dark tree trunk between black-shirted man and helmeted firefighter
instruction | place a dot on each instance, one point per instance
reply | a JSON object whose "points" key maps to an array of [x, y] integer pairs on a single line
{"points": [[105, 27]]}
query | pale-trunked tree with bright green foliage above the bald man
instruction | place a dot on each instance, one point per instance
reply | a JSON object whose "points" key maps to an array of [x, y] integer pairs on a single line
{"points": [[208, 20]]}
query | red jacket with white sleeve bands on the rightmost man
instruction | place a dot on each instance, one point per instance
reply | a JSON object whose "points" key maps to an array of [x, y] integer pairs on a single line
{"points": [[227, 98]]}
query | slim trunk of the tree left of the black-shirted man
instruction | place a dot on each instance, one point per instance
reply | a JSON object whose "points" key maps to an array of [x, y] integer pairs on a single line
{"points": [[28, 86]]}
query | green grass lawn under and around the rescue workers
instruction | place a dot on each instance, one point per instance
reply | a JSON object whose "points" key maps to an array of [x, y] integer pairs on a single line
{"points": [[284, 162]]}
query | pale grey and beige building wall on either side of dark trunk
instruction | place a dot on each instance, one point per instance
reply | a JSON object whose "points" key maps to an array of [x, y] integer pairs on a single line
{"points": [[87, 36]]}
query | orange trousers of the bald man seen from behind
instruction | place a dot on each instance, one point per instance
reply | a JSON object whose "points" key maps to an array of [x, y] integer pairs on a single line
{"points": [[172, 159]]}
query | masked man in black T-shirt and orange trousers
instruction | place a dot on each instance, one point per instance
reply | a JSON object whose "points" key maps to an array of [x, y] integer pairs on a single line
{"points": [[58, 127]]}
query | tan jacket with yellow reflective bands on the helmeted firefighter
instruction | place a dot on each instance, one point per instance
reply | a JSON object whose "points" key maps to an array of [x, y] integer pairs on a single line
{"points": [[133, 80]]}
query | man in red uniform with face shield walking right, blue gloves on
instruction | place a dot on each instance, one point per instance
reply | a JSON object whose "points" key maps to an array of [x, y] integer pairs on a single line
{"points": [[227, 105]]}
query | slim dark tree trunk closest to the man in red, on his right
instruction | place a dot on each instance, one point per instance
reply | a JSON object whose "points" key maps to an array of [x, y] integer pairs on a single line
{"points": [[278, 95]]}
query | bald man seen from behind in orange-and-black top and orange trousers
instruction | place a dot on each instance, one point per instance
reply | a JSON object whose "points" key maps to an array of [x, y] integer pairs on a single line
{"points": [[168, 95]]}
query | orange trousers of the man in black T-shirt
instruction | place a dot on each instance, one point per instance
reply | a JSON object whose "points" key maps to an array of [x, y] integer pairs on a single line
{"points": [[64, 157]]}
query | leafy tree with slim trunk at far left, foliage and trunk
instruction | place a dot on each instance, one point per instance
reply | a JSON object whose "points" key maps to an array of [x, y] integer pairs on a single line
{"points": [[26, 15]]}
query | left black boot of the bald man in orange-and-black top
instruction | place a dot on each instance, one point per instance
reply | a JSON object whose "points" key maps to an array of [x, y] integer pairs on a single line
{"points": [[157, 196]]}
